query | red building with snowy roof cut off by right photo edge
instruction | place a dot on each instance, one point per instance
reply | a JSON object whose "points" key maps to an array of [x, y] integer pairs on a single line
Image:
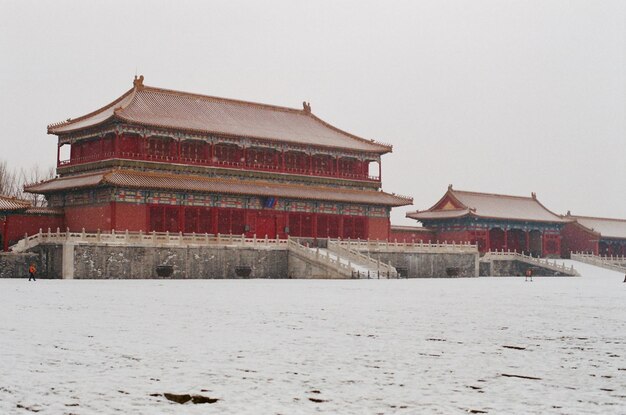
{"points": [[600, 236]]}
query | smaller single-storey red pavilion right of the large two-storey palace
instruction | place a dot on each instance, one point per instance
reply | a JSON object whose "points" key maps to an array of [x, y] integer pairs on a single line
{"points": [[494, 222]]}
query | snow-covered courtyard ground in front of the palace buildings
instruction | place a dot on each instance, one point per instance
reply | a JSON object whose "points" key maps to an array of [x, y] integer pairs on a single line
{"points": [[421, 346]]}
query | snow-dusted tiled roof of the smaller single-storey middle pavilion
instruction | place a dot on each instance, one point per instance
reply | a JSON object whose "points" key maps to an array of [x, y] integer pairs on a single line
{"points": [[458, 204]]}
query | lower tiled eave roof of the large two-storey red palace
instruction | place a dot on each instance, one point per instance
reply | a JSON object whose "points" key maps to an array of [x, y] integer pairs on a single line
{"points": [[153, 180]]}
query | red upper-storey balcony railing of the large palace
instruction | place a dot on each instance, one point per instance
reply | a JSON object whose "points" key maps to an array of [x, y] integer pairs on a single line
{"points": [[278, 167]]}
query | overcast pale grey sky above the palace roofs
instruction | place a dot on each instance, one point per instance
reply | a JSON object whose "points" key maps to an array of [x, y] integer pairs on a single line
{"points": [[494, 96]]}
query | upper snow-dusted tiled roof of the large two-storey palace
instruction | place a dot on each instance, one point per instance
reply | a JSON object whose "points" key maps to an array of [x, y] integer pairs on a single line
{"points": [[163, 108]]}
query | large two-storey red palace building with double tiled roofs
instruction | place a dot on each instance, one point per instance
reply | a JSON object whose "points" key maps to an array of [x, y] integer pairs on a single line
{"points": [[163, 160]]}
